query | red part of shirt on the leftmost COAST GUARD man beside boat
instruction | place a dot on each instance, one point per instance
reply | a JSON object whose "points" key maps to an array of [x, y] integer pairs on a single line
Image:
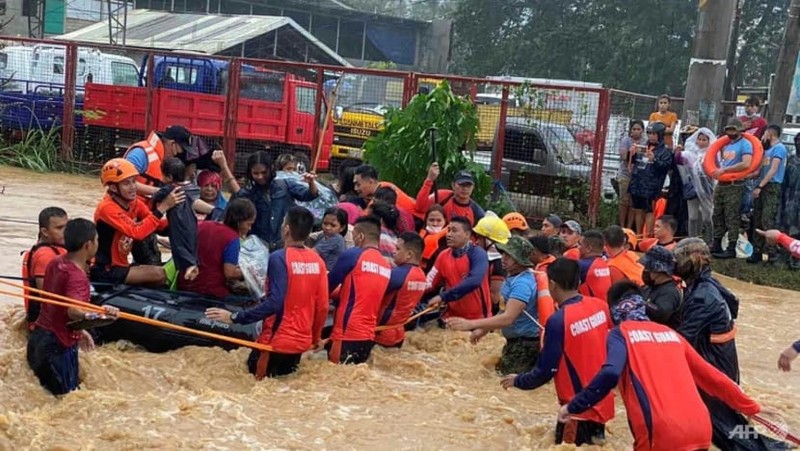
{"points": [[305, 305]]}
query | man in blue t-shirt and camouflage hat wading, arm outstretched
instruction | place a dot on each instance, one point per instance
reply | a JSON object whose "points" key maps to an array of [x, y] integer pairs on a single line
{"points": [[520, 319]]}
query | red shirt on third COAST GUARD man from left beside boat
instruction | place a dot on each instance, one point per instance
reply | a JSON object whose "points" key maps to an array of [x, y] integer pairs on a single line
{"points": [[397, 306]]}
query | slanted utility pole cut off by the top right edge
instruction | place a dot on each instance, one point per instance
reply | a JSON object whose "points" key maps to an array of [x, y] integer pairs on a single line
{"points": [[784, 74]]}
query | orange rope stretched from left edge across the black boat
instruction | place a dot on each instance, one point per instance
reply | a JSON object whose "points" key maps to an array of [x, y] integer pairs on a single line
{"points": [[69, 302]]}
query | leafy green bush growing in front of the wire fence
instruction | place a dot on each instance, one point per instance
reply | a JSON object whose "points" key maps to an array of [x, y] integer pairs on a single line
{"points": [[401, 151]]}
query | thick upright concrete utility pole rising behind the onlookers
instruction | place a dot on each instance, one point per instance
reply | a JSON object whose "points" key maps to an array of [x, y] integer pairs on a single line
{"points": [[706, 81]]}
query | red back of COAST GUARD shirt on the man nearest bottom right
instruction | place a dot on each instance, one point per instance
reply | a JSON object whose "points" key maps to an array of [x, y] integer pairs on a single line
{"points": [[677, 416]]}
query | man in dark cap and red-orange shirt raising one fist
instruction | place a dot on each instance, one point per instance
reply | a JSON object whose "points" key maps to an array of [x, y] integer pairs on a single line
{"points": [[456, 202]]}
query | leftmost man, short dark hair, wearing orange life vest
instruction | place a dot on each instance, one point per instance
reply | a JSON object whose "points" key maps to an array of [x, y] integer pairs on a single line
{"points": [[50, 244]]}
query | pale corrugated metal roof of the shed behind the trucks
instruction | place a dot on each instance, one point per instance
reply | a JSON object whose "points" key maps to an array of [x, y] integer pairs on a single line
{"points": [[207, 33]]}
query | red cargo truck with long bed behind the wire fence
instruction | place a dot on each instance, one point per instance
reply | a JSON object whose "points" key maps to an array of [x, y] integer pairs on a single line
{"points": [[275, 110]]}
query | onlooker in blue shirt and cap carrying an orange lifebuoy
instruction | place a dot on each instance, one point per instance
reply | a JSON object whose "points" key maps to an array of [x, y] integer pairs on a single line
{"points": [[735, 157]]}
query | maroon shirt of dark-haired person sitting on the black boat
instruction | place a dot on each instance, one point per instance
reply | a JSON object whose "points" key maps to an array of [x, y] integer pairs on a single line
{"points": [[212, 238]]}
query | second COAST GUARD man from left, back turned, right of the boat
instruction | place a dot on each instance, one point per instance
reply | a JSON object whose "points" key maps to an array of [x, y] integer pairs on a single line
{"points": [[363, 274]]}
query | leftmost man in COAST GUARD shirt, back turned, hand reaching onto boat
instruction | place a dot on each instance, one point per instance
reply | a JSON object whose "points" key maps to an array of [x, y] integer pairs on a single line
{"points": [[295, 306]]}
